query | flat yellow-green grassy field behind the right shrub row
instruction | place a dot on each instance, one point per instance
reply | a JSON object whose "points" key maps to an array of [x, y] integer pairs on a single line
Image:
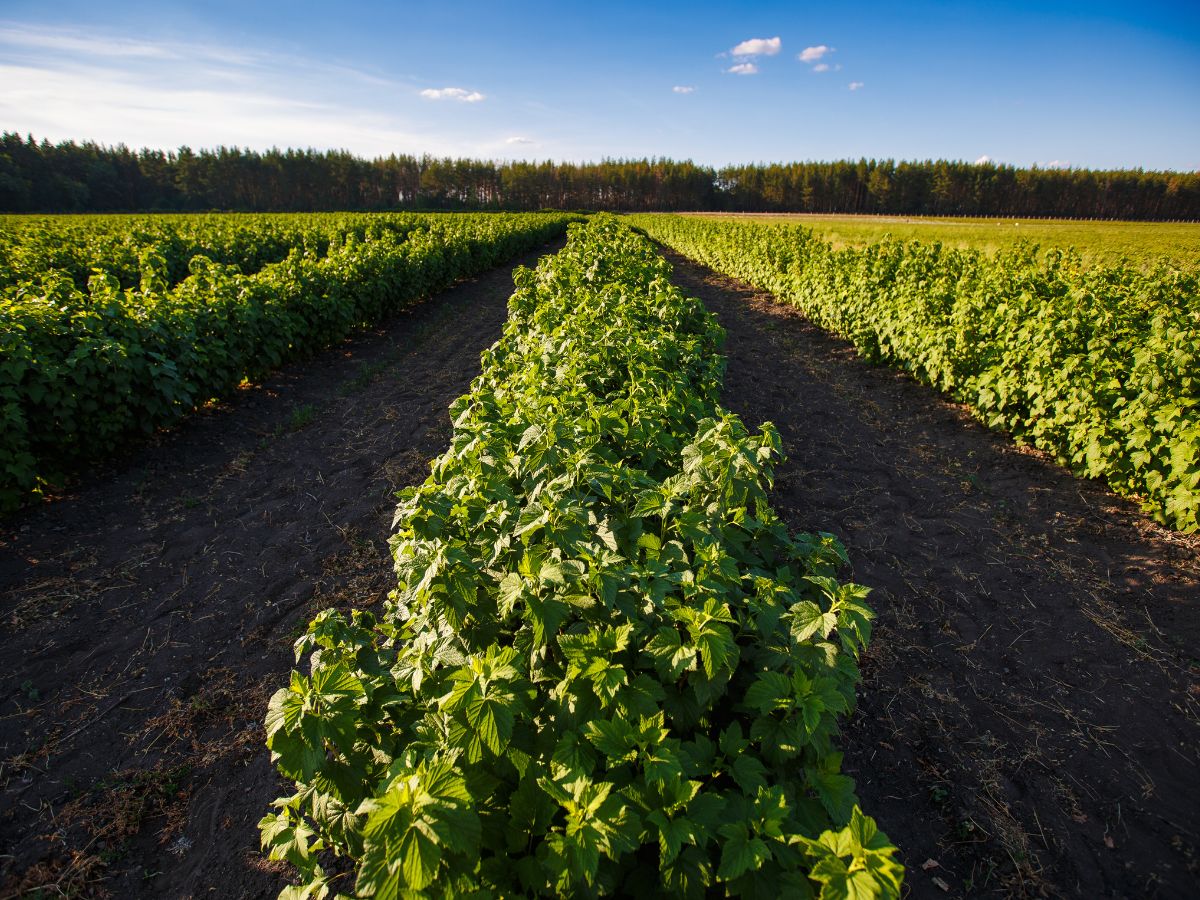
{"points": [[1144, 243]]}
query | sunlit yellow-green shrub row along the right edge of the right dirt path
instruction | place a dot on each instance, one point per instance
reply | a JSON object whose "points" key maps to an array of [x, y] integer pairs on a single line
{"points": [[1100, 367]]}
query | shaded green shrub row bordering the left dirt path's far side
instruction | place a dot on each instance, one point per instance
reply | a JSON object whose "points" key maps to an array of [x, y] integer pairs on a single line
{"points": [[83, 373]]}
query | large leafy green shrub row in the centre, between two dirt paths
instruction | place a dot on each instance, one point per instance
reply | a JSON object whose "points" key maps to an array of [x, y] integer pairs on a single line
{"points": [[608, 668]]}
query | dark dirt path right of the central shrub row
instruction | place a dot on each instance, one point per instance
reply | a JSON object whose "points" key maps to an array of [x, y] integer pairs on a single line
{"points": [[1029, 716]]}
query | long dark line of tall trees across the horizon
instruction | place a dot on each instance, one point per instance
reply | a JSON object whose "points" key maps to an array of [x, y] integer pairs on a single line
{"points": [[69, 177]]}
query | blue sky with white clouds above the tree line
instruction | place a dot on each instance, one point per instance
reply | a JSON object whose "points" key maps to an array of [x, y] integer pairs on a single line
{"points": [[1096, 85]]}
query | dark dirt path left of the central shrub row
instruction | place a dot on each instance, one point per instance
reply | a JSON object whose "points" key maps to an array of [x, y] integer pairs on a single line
{"points": [[148, 617]]}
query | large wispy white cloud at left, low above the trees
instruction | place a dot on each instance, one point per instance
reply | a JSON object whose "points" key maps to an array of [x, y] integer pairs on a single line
{"points": [[95, 85]]}
